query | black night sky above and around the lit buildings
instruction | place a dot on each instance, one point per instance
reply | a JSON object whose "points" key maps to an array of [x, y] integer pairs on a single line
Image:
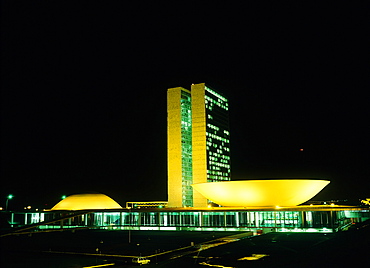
{"points": [[83, 105]]}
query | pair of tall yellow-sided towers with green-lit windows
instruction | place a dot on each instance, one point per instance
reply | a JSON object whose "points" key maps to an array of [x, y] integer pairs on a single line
{"points": [[198, 142]]}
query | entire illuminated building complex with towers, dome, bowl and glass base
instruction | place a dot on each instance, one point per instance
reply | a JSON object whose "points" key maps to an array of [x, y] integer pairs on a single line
{"points": [[198, 155]]}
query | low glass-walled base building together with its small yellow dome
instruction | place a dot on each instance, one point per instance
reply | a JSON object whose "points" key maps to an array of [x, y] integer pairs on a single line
{"points": [[85, 211]]}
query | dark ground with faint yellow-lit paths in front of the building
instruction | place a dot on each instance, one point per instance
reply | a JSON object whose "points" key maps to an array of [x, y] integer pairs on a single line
{"points": [[173, 249]]}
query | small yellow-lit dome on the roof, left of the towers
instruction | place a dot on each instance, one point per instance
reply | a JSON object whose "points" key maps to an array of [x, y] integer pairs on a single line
{"points": [[87, 201]]}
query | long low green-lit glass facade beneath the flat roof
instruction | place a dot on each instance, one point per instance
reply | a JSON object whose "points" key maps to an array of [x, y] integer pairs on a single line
{"points": [[243, 220]]}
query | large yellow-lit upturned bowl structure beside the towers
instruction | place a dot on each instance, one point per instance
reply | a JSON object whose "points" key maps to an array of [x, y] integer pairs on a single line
{"points": [[256, 193]]}
